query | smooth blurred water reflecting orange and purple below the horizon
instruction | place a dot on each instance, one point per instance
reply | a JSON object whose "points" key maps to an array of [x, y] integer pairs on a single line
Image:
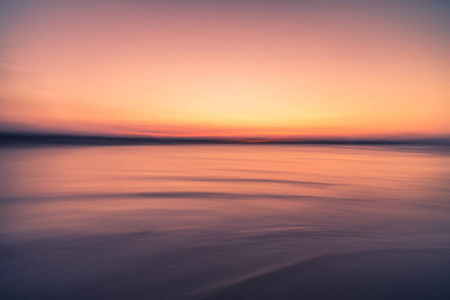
{"points": [[225, 222]]}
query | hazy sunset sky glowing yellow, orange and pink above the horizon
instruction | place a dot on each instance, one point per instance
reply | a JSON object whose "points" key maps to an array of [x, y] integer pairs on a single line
{"points": [[226, 68]]}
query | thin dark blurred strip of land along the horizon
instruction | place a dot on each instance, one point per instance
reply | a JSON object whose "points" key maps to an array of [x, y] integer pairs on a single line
{"points": [[69, 139]]}
